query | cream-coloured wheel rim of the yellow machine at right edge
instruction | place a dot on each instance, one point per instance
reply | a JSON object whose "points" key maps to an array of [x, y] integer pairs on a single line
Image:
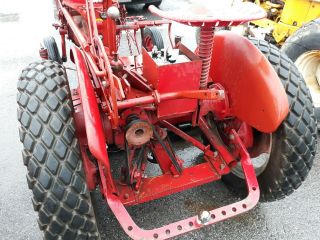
{"points": [[309, 66]]}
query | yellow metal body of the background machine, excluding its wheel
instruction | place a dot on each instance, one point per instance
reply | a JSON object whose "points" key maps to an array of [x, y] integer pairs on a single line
{"points": [[287, 16]]}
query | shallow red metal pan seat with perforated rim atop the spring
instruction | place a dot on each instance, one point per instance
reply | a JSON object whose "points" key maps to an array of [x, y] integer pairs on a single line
{"points": [[219, 15]]}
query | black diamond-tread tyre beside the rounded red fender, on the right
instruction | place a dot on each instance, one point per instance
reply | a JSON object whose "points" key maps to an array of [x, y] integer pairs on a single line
{"points": [[294, 143]]}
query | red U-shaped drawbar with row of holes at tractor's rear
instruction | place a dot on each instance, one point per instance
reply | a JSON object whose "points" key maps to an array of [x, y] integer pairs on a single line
{"points": [[191, 223]]}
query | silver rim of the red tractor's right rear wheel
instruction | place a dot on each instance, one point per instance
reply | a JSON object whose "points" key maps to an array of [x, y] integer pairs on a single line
{"points": [[259, 162]]}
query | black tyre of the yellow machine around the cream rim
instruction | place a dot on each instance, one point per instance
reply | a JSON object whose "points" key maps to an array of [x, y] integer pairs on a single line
{"points": [[304, 40]]}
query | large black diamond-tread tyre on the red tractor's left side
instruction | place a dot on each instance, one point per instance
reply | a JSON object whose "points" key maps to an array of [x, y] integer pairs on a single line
{"points": [[51, 154]]}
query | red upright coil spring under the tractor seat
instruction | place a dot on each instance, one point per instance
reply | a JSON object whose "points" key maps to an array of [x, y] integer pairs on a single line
{"points": [[205, 53]]}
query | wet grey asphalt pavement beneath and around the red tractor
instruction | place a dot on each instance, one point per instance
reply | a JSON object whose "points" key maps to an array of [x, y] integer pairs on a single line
{"points": [[22, 26]]}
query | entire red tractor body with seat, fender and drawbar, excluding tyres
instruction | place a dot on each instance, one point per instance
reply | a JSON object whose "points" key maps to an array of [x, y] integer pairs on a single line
{"points": [[137, 104]]}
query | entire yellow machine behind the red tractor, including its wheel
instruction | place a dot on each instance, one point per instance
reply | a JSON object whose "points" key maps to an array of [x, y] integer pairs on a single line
{"points": [[295, 26]]}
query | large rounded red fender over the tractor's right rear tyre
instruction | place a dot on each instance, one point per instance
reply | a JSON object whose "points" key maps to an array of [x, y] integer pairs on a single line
{"points": [[255, 92]]}
